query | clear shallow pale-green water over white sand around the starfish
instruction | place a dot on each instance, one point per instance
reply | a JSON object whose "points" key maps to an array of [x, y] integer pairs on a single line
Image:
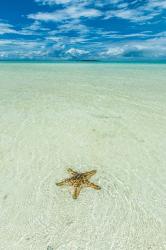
{"points": [[108, 117]]}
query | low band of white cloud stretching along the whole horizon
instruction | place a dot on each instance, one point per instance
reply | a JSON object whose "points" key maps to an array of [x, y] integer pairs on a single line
{"points": [[66, 48]]}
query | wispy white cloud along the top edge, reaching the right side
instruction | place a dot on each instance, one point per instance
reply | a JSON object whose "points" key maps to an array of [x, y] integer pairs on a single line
{"points": [[133, 11]]}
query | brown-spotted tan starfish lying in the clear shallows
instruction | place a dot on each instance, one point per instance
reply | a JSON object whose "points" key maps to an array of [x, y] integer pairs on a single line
{"points": [[78, 181]]}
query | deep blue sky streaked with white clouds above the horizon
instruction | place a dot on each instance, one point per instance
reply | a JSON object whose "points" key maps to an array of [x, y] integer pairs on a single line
{"points": [[83, 29]]}
